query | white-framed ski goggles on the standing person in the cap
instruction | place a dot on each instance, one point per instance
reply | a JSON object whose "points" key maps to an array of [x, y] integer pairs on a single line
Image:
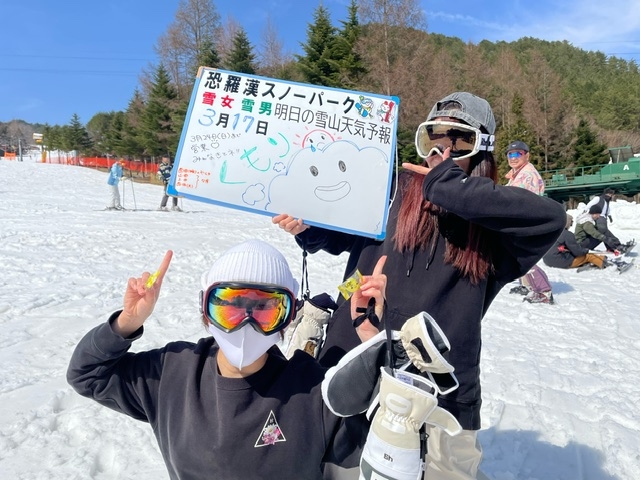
{"points": [[464, 140]]}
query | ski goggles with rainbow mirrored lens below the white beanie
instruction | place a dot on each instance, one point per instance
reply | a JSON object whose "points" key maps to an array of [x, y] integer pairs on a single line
{"points": [[231, 305]]}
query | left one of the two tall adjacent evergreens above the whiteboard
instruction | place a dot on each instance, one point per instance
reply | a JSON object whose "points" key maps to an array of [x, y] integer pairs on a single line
{"points": [[318, 66]]}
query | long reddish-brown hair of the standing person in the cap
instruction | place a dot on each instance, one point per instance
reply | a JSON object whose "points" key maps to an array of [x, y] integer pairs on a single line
{"points": [[418, 225]]}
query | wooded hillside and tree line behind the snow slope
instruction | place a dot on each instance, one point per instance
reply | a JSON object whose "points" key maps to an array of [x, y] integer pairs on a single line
{"points": [[567, 104]]}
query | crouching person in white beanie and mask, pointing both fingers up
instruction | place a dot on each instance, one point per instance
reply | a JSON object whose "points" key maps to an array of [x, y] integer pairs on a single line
{"points": [[231, 405]]}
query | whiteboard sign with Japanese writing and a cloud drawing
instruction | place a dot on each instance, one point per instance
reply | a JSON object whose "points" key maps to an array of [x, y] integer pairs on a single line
{"points": [[270, 146]]}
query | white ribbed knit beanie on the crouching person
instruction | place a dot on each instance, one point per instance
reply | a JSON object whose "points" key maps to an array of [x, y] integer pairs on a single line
{"points": [[253, 261]]}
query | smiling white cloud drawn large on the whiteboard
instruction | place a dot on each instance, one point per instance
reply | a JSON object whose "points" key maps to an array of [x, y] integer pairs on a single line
{"points": [[340, 185]]}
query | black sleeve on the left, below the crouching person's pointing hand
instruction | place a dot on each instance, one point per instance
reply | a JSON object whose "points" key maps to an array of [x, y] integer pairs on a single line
{"points": [[101, 369]]}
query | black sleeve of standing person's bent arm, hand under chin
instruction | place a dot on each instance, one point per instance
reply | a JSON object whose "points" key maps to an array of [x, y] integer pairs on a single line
{"points": [[526, 224]]}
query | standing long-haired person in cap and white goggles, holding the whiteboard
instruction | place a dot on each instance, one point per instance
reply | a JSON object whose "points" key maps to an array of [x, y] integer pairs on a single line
{"points": [[454, 239]]}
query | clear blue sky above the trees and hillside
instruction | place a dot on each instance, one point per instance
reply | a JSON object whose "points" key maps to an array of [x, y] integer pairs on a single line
{"points": [[61, 58]]}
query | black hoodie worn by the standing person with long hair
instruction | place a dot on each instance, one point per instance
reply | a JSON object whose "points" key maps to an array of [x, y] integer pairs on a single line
{"points": [[523, 226]]}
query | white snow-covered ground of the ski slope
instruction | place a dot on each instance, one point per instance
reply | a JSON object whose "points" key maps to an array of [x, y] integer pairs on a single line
{"points": [[561, 383]]}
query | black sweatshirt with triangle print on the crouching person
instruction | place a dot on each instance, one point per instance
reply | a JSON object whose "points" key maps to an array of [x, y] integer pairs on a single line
{"points": [[272, 424]]}
